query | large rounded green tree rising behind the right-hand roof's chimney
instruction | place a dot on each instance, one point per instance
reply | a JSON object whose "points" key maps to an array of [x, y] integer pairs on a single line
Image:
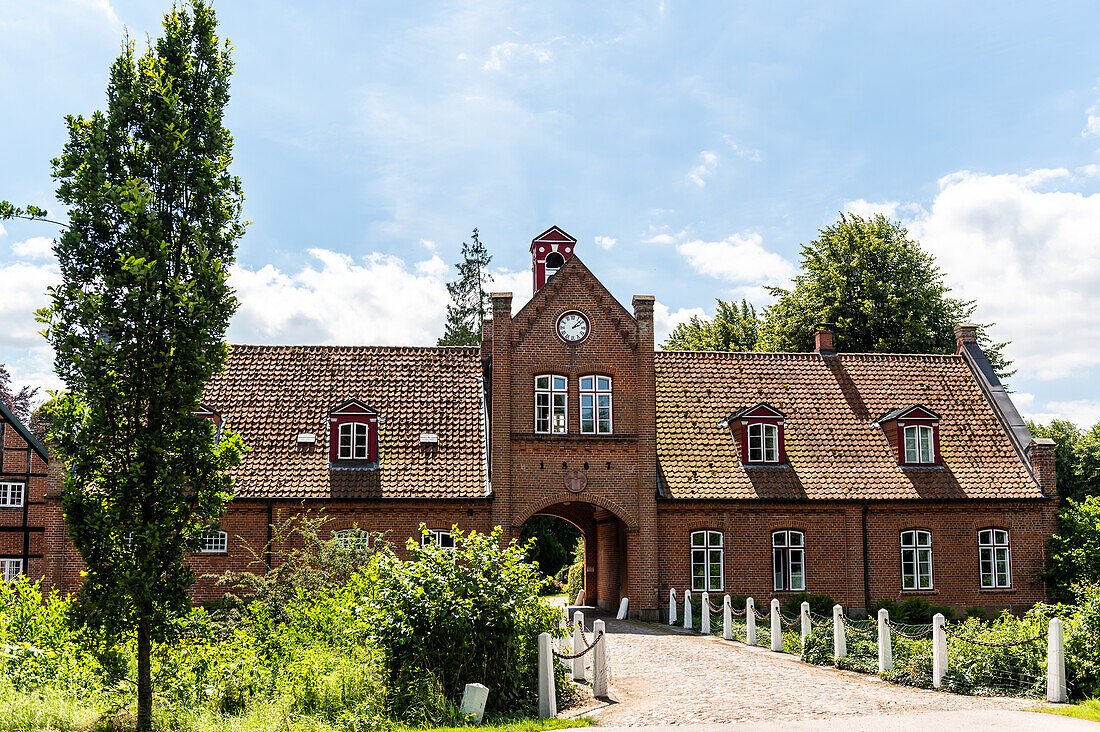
{"points": [[881, 291]]}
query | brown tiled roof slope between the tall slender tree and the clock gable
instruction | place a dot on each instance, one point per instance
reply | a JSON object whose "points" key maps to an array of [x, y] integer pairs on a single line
{"points": [[269, 395]]}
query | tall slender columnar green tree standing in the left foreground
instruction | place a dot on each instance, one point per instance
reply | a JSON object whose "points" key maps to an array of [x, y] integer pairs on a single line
{"points": [[138, 327]]}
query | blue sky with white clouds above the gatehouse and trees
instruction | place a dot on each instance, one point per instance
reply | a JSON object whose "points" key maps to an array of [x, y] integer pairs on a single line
{"points": [[690, 147]]}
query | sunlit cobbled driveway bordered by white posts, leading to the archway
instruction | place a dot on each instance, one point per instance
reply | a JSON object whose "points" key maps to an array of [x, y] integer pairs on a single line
{"points": [[663, 678]]}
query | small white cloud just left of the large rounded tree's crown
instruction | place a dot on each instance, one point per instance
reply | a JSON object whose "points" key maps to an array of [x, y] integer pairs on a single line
{"points": [[740, 259]]}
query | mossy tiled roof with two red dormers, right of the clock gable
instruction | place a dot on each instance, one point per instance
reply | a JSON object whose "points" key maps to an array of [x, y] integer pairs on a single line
{"points": [[832, 450]]}
